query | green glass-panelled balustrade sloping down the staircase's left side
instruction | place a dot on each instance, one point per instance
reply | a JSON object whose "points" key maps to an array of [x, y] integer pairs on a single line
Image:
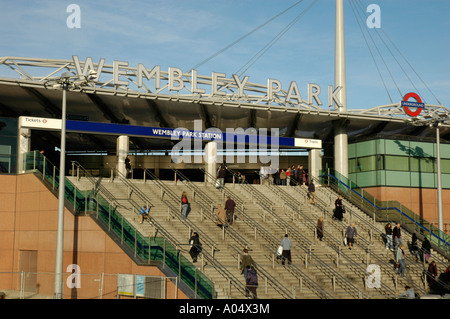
{"points": [[99, 204]]}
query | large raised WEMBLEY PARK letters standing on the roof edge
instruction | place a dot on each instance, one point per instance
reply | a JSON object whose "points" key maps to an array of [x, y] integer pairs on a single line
{"points": [[121, 75]]}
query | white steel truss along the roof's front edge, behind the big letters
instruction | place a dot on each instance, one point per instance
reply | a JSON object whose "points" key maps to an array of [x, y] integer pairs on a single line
{"points": [[250, 95]]}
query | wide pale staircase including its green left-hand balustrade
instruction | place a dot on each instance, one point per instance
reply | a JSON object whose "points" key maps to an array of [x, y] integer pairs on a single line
{"points": [[264, 214]]}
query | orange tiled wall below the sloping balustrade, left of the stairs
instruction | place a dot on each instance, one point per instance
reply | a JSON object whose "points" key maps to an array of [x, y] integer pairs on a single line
{"points": [[28, 221]]}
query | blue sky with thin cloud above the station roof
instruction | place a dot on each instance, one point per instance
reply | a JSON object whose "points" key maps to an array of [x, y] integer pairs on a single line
{"points": [[183, 33]]}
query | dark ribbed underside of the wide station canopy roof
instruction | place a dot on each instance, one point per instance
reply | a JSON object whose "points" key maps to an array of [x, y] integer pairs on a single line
{"points": [[31, 98]]}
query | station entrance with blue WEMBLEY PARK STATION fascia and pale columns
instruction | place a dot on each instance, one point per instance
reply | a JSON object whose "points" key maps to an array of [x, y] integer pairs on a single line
{"points": [[251, 152]]}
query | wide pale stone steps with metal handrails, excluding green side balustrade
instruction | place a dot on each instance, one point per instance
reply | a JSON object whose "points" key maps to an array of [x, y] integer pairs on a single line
{"points": [[264, 214]]}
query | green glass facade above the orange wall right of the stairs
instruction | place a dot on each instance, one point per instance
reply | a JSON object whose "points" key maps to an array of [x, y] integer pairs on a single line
{"points": [[385, 162]]}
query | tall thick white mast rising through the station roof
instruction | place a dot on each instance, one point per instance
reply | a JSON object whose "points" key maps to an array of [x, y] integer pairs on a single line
{"points": [[340, 131]]}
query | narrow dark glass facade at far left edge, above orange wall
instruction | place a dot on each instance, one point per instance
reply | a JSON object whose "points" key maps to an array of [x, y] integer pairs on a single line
{"points": [[8, 145]]}
